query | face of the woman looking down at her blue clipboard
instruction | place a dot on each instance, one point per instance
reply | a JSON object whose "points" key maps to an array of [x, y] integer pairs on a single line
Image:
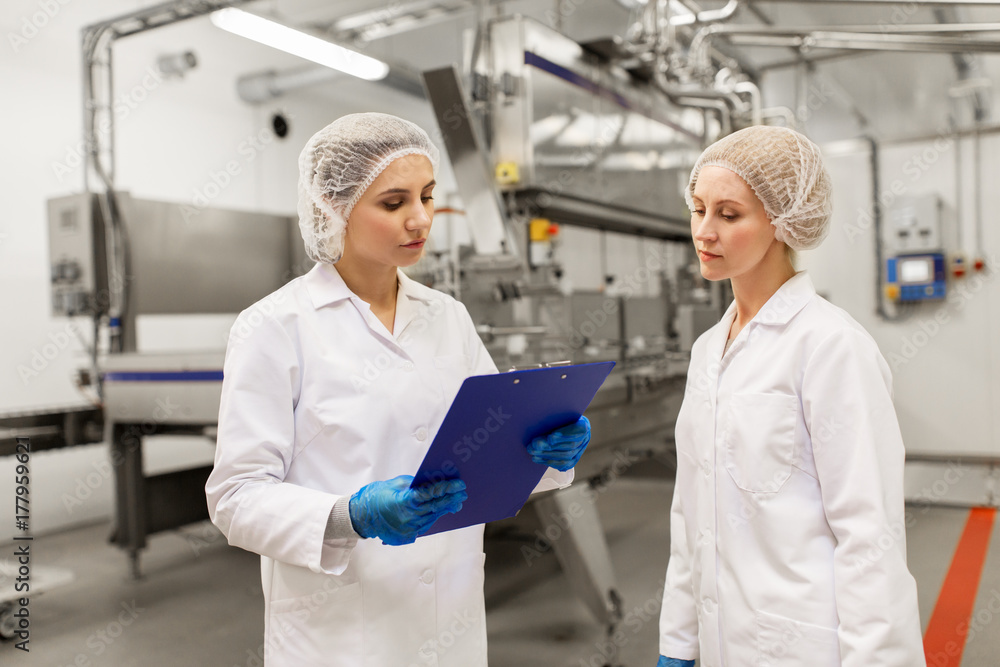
{"points": [[390, 223]]}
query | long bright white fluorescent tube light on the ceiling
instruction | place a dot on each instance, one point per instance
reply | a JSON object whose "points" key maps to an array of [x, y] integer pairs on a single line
{"points": [[298, 43]]}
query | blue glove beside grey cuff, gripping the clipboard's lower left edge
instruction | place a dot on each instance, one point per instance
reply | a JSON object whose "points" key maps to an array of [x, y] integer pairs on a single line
{"points": [[397, 514]]}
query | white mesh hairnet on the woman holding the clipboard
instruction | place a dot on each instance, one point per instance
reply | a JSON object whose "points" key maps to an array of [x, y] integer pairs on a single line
{"points": [[339, 163]]}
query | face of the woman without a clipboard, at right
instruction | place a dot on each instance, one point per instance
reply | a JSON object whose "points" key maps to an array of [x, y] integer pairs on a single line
{"points": [[731, 231]]}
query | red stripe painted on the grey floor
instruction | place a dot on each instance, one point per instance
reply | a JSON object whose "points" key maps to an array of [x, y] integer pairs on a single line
{"points": [[944, 640]]}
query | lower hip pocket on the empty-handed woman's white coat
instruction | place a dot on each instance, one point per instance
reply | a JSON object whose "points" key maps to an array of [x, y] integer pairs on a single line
{"points": [[783, 642]]}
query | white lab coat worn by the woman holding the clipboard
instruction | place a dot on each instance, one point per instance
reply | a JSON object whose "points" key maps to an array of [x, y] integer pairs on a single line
{"points": [[318, 400]]}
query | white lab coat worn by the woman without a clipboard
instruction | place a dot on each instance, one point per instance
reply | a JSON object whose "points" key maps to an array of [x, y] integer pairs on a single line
{"points": [[787, 526]]}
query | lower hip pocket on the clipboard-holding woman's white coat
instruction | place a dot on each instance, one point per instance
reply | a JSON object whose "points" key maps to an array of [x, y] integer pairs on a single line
{"points": [[326, 624]]}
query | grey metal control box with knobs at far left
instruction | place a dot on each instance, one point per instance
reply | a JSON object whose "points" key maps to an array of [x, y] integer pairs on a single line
{"points": [[78, 258]]}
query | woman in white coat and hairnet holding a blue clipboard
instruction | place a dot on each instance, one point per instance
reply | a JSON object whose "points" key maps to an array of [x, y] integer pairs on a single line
{"points": [[334, 387]]}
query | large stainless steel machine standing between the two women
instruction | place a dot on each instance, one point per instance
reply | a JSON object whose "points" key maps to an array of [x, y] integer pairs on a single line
{"points": [[551, 137]]}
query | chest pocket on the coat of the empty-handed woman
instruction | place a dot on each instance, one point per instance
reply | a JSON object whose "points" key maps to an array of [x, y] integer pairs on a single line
{"points": [[760, 440]]}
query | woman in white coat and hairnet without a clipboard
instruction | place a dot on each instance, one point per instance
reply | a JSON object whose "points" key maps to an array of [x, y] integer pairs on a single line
{"points": [[787, 525]]}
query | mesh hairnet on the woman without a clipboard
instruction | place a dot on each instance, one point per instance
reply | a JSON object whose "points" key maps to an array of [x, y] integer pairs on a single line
{"points": [[785, 171]]}
